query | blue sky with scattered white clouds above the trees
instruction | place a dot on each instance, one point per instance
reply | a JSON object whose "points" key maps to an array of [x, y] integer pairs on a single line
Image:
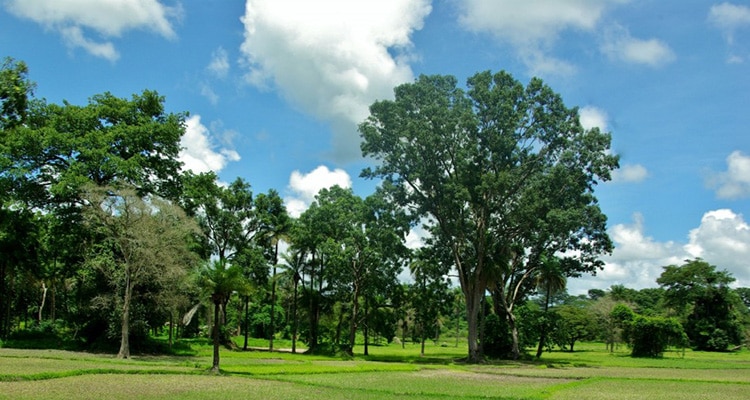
{"points": [[275, 89]]}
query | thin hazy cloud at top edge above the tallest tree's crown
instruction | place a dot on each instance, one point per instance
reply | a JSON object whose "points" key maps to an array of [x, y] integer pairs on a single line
{"points": [[533, 26]]}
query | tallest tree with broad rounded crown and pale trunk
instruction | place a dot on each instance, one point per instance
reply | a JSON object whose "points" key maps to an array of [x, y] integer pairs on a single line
{"points": [[480, 165]]}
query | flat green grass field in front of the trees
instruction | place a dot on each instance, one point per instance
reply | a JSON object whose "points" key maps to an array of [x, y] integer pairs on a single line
{"points": [[389, 372]]}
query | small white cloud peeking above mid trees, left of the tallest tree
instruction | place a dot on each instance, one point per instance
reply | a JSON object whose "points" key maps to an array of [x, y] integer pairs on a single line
{"points": [[304, 187]]}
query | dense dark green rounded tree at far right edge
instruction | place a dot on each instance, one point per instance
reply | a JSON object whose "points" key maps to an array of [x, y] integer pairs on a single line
{"points": [[701, 295]]}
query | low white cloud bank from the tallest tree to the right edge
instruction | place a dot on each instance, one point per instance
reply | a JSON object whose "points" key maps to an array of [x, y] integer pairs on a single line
{"points": [[722, 238]]}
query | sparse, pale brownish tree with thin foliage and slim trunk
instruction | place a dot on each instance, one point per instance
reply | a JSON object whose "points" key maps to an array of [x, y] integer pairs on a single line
{"points": [[140, 241]]}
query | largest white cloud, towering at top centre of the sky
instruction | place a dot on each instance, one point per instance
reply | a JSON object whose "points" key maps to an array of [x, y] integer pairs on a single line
{"points": [[332, 58]]}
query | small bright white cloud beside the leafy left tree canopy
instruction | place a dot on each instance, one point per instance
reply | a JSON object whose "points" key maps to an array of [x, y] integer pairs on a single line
{"points": [[199, 152]]}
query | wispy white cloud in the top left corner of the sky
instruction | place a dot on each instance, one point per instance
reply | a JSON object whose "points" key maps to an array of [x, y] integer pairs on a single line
{"points": [[107, 18]]}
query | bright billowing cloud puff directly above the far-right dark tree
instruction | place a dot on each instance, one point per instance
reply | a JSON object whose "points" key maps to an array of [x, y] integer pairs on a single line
{"points": [[723, 239]]}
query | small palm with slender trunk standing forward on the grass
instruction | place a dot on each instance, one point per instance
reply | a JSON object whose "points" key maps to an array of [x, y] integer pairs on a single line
{"points": [[220, 280]]}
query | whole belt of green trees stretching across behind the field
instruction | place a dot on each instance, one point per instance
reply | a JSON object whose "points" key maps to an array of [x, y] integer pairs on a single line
{"points": [[107, 244]]}
